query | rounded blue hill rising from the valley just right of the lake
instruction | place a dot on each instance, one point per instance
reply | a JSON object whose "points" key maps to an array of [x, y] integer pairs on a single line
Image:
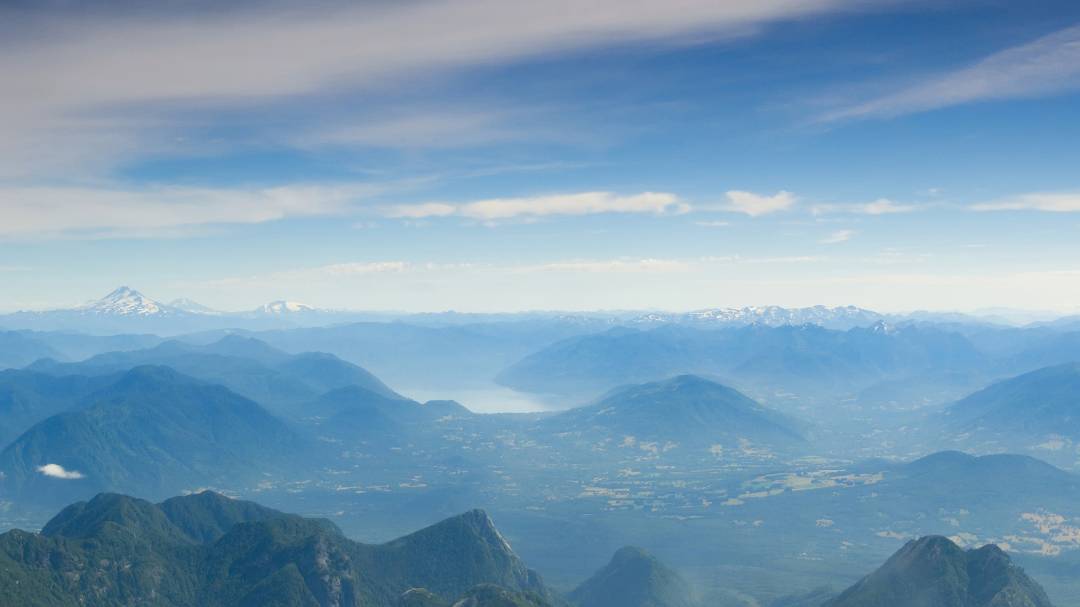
{"points": [[686, 410]]}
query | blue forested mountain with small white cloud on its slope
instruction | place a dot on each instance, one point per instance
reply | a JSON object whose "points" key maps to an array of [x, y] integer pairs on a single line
{"points": [[154, 431]]}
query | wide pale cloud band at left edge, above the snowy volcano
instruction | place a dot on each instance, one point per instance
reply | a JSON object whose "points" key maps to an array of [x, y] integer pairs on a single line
{"points": [[33, 211]]}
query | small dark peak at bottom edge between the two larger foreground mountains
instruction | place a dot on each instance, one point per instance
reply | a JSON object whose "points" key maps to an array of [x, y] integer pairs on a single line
{"points": [[633, 578]]}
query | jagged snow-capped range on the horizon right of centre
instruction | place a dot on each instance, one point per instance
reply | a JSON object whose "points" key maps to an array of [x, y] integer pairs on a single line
{"points": [[845, 317]]}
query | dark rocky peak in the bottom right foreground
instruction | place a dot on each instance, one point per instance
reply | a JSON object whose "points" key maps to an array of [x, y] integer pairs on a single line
{"points": [[934, 572]]}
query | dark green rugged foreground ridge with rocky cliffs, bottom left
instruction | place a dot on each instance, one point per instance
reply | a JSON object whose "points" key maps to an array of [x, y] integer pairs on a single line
{"points": [[209, 551]]}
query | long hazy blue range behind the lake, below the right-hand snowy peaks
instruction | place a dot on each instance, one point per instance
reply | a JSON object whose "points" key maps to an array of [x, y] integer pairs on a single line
{"points": [[807, 358]]}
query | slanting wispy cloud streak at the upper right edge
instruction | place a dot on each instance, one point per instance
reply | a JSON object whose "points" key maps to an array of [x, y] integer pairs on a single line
{"points": [[1044, 68]]}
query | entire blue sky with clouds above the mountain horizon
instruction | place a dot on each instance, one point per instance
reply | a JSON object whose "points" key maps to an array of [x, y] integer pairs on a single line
{"points": [[506, 155]]}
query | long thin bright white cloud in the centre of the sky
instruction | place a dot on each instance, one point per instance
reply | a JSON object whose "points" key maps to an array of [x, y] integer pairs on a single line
{"points": [[585, 204]]}
